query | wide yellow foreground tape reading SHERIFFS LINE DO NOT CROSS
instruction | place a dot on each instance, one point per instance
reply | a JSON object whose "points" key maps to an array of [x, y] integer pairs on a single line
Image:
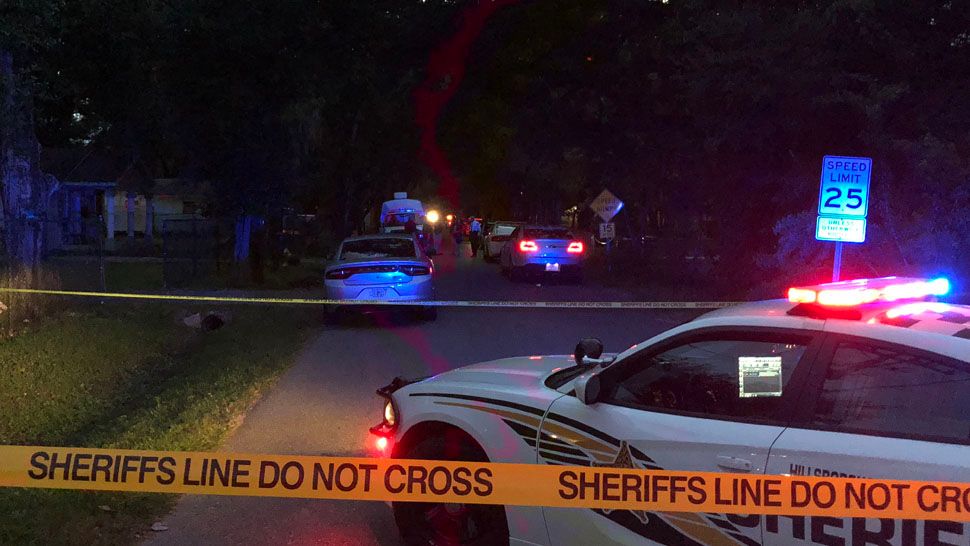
{"points": [[381, 479]]}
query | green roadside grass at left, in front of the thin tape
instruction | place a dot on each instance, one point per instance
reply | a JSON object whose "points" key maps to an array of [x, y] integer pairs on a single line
{"points": [[129, 377]]}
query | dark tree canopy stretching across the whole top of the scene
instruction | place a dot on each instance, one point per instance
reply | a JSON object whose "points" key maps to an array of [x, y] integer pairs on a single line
{"points": [[708, 117]]}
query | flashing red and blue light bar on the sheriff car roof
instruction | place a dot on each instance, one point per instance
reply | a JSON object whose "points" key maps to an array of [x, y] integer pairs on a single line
{"points": [[862, 291]]}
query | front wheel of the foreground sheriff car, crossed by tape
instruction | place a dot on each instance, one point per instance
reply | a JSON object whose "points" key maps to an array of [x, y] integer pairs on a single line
{"points": [[450, 524]]}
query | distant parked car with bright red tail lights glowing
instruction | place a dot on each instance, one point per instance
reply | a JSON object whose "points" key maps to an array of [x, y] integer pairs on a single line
{"points": [[538, 249]]}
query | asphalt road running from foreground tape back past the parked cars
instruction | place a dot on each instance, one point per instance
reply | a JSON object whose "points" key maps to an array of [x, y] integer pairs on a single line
{"points": [[325, 403]]}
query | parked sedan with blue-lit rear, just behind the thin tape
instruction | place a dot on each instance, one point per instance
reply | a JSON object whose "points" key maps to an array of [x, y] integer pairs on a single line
{"points": [[384, 267]]}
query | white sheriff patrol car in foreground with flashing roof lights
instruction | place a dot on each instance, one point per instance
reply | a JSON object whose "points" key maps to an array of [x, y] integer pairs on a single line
{"points": [[859, 378]]}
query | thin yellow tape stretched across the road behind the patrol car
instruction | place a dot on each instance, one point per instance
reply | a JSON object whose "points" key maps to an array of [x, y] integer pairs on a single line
{"points": [[435, 303]]}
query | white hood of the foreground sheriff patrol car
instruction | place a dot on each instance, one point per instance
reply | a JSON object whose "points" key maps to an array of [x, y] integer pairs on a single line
{"points": [[522, 371]]}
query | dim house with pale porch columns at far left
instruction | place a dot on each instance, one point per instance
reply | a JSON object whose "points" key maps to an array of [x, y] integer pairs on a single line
{"points": [[101, 191]]}
